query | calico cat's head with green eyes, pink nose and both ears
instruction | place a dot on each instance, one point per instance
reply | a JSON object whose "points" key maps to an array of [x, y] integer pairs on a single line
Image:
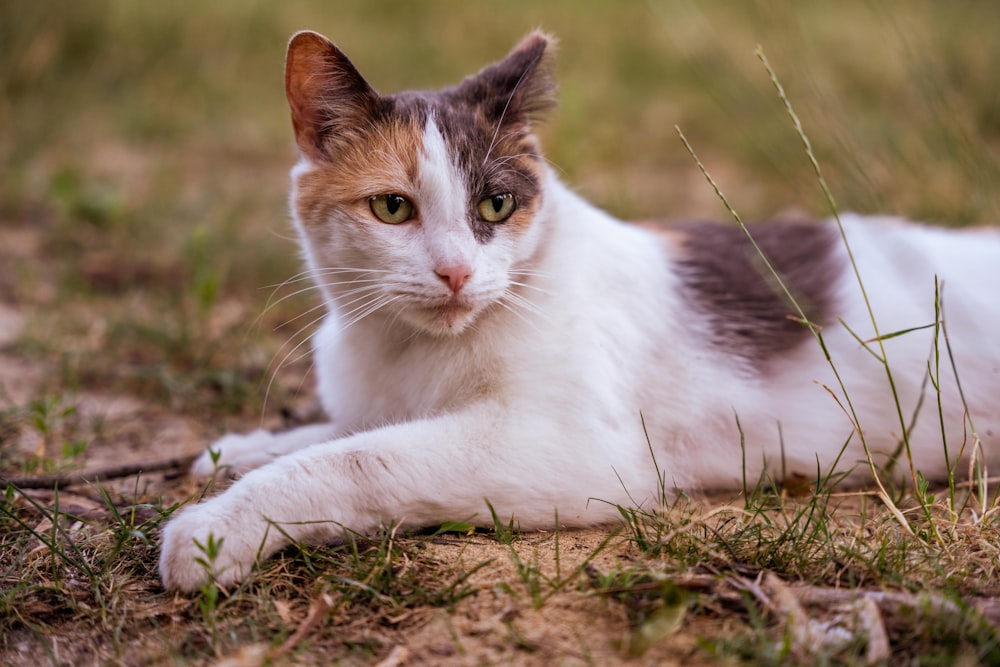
{"points": [[418, 206]]}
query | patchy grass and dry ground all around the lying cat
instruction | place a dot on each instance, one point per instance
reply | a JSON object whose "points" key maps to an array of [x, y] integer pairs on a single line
{"points": [[144, 155]]}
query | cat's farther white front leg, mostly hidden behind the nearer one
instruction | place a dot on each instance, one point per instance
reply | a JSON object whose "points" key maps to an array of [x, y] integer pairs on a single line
{"points": [[240, 453]]}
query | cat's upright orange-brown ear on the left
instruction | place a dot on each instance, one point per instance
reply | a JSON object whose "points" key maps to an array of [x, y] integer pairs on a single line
{"points": [[325, 92]]}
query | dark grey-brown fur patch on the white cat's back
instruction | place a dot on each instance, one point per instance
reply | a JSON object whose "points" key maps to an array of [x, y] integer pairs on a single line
{"points": [[748, 313]]}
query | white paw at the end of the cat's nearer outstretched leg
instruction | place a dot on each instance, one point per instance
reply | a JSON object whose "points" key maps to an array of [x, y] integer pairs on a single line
{"points": [[204, 543]]}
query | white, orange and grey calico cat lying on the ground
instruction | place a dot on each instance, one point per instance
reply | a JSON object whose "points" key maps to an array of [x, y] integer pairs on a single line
{"points": [[490, 336]]}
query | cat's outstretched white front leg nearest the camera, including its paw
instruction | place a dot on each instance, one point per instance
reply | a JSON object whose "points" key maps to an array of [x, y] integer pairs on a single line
{"points": [[419, 473]]}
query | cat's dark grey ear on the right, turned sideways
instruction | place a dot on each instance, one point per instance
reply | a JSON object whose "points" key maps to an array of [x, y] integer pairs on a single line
{"points": [[520, 87]]}
